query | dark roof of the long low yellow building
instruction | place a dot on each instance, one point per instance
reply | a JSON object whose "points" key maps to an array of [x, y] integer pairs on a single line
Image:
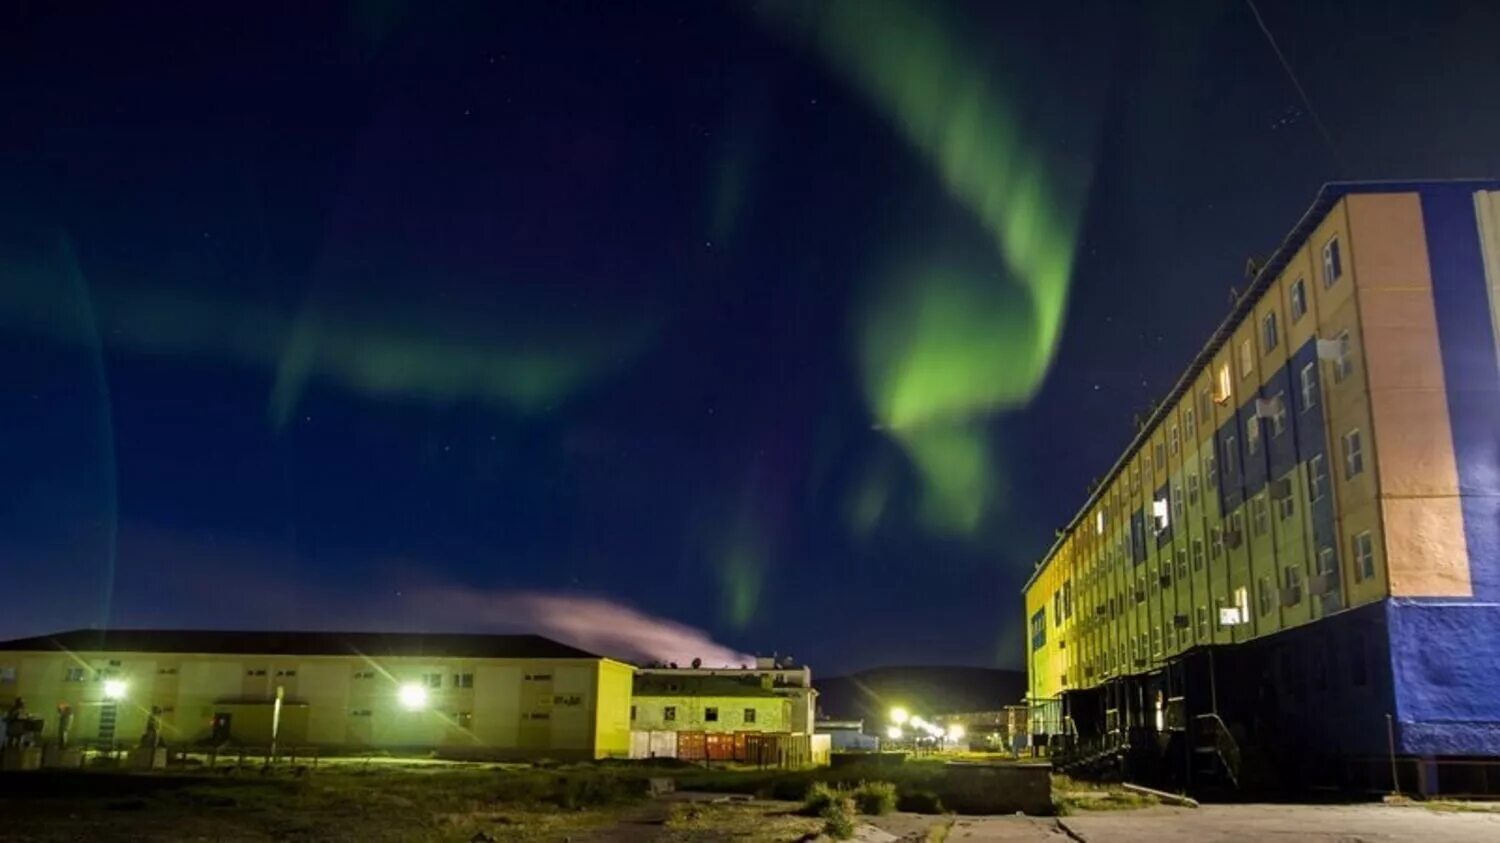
{"points": [[266, 643]]}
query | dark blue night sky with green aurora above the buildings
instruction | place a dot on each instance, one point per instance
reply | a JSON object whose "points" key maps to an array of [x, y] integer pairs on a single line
{"points": [[788, 328]]}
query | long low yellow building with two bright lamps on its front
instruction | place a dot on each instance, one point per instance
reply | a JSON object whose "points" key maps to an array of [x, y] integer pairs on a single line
{"points": [[496, 695]]}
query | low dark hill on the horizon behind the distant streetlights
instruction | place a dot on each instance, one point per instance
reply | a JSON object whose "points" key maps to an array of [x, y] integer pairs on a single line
{"points": [[922, 691]]}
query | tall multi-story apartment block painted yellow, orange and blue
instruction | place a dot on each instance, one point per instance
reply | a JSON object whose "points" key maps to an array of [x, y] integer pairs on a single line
{"points": [[1295, 566]]}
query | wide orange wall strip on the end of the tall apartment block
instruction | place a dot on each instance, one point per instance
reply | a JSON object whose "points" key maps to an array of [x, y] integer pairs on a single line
{"points": [[1411, 436]]}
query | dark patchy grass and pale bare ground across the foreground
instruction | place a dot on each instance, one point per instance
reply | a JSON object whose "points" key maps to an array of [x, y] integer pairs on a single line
{"points": [[443, 805]]}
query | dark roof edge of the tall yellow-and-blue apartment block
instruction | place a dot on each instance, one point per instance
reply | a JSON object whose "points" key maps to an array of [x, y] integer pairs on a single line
{"points": [[1328, 197]]}
